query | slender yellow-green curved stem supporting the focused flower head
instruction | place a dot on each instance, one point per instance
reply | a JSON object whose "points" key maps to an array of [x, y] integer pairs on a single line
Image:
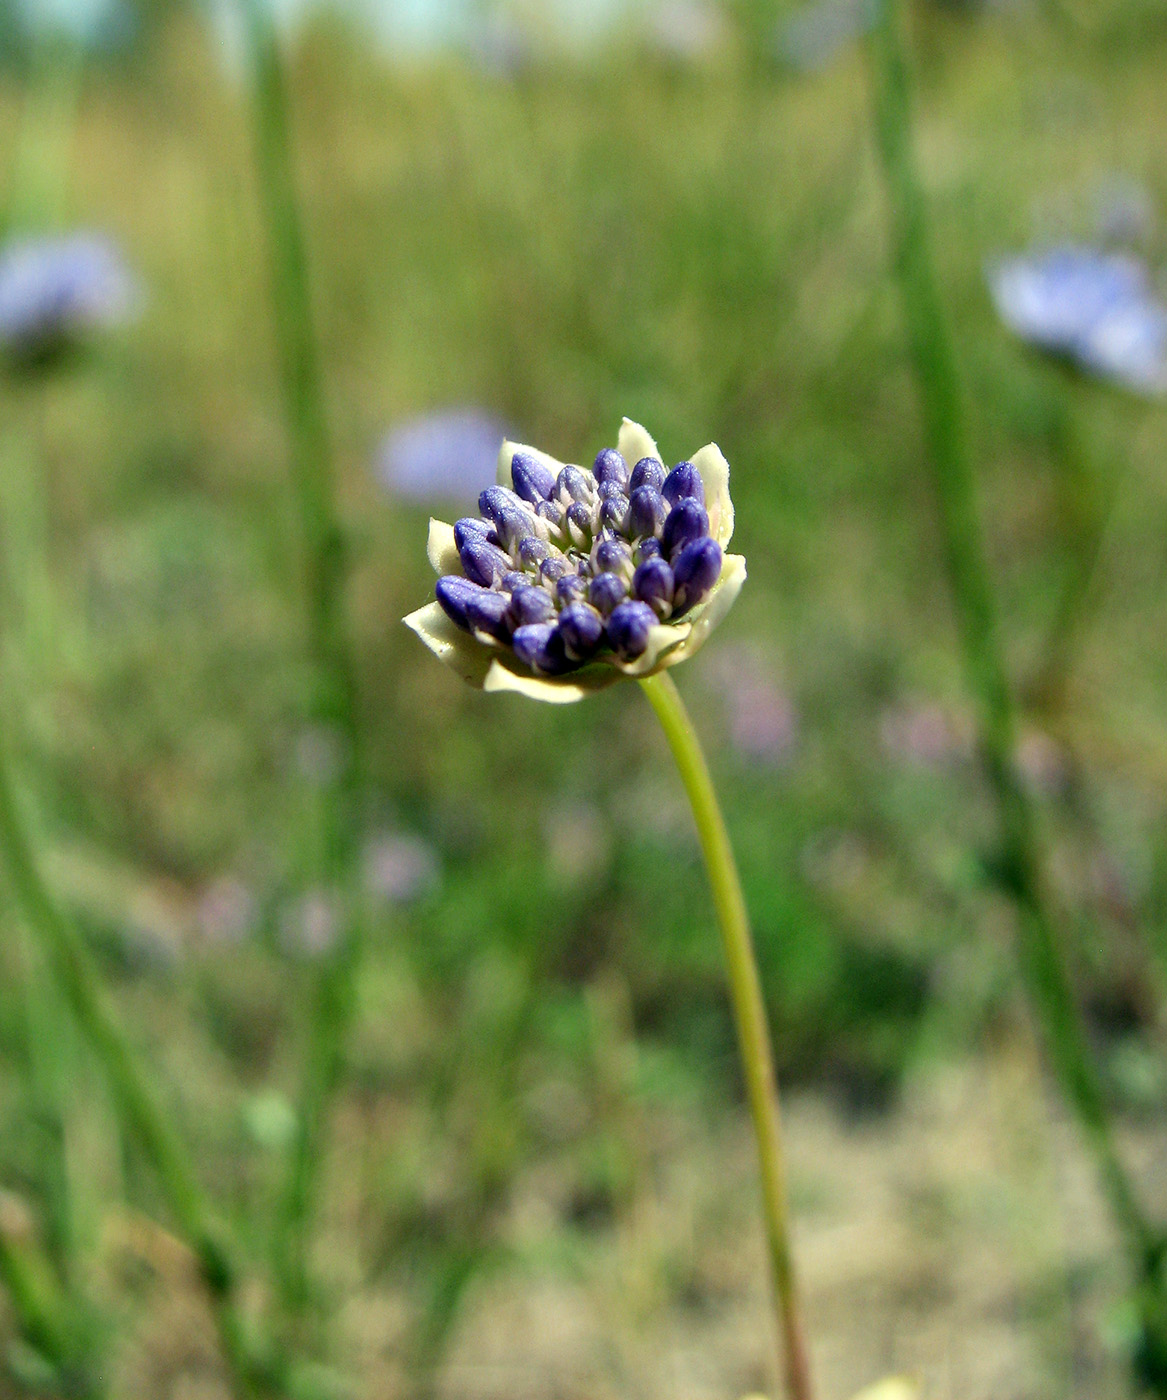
{"points": [[749, 1014]]}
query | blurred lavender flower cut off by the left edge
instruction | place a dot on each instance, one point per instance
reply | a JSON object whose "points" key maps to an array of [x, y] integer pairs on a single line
{"points": [[58, 288]]}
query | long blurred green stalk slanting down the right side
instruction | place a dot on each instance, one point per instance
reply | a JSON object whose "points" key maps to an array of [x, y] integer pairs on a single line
{"points": [[1018, 869]]}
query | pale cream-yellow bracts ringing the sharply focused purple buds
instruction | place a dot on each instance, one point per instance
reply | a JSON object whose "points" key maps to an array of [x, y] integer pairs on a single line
{"points": [[489, 666]]}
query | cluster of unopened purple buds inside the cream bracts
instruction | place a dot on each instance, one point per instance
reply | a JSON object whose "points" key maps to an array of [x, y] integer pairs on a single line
{"points": [[565, 569]]}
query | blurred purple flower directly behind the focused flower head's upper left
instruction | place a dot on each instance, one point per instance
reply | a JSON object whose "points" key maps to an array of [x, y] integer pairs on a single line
{"points": [[441, 457]]}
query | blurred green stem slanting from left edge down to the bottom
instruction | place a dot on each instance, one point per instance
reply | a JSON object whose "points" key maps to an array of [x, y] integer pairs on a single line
{"points": [[134, 1094]]}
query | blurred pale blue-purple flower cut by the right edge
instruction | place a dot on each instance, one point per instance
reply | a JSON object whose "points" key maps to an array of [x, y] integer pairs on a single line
{"points": [[1094, 307]]}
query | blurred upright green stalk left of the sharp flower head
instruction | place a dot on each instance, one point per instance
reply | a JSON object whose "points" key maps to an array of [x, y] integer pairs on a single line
{"points": [[334, 701]]}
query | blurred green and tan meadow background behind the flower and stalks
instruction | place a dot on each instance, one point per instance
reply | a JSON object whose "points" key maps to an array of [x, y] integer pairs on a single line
{"points": [[530, 220]]}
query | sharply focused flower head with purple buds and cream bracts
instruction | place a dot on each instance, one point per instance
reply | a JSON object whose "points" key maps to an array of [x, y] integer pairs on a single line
{"points": [[574, 579]]}
